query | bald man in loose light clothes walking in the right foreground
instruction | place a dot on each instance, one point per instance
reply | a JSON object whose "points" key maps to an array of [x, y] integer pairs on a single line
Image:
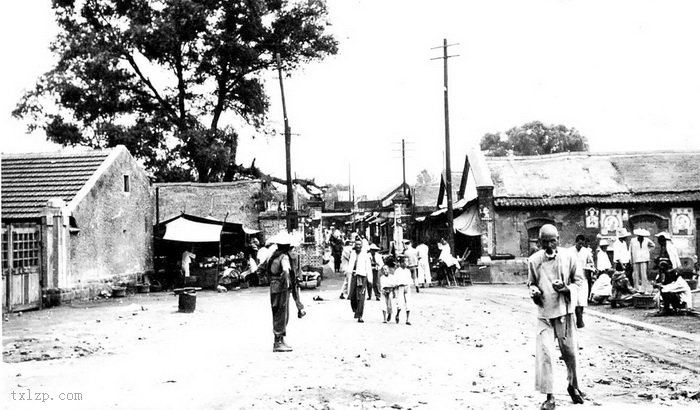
{"points": [[552, 277]]}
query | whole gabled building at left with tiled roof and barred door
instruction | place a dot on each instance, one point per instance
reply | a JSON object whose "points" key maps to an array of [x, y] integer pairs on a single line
{"points": [[73, 224]]}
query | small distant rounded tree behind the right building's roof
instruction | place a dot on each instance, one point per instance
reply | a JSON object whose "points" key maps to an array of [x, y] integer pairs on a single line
{"points": [[534, 138]]}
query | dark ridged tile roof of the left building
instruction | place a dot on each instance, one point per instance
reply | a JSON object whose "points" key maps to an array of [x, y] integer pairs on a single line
{"points": [[30, 180]]}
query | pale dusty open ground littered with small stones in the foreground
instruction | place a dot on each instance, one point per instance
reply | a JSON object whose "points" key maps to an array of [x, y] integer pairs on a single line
{"points": [[469, 347]]}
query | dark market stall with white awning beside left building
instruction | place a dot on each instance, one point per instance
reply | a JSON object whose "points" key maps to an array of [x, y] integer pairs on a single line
{"points": [[216, 246]]}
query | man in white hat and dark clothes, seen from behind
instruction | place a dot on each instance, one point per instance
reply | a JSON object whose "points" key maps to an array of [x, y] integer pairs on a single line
{"points": [[281, 283]]}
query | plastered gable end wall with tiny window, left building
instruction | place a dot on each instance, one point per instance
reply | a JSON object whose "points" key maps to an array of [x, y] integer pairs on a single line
{"points": [[114, 235]]}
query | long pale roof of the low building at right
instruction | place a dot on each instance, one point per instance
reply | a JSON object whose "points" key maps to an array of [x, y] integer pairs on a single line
{"points": [[595, 178]]}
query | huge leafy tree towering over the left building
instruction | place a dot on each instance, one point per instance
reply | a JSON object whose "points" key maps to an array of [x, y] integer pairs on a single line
{"points": [[167, 78]]}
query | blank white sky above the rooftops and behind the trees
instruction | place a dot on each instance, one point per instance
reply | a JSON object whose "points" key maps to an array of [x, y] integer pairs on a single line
{"points": [[624, 73]]}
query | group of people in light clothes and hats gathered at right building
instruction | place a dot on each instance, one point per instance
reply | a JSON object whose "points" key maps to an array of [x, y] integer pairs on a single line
{"points": [[617, 283]]}
